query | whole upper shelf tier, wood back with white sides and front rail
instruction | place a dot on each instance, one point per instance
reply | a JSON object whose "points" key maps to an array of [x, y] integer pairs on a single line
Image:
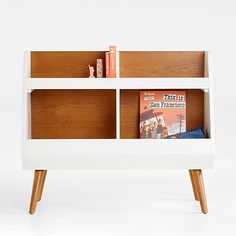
{"points": [[135, 69]]}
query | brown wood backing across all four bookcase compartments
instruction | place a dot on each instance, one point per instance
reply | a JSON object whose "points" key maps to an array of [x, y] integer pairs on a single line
{"points": [[87, 114]]}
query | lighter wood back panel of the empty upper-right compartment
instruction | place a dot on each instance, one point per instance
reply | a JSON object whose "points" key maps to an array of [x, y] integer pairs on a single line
{"points": [[161, 64]]}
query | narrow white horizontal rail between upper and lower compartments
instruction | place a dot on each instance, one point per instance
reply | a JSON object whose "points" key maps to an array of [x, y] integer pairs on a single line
{"points": [[118, 83]]}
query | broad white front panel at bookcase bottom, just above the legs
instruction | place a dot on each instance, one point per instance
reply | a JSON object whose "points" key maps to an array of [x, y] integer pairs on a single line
{"points": [[118, 154]]}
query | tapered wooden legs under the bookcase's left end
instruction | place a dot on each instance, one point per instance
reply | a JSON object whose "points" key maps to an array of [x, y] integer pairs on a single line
{"points": [[36, 190]]}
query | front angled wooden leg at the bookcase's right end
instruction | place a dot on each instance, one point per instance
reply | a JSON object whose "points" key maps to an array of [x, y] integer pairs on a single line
{"points": [[200, 190]]}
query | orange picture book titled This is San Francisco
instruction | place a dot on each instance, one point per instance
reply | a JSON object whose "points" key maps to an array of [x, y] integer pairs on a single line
{"points": [[162, 113]]}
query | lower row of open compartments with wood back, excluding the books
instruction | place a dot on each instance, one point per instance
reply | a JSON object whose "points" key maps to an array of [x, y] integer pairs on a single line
{"points": [[92, 114]]}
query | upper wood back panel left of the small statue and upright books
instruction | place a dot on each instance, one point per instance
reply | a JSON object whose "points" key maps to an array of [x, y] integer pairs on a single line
{"points": [[63, 64]]}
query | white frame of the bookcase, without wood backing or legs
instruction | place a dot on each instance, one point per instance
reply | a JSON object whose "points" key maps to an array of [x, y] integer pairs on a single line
{"points": [[118, 153]]}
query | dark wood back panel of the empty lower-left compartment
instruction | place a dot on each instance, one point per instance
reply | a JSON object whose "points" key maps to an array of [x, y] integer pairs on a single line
{"points": [[73, 114]]}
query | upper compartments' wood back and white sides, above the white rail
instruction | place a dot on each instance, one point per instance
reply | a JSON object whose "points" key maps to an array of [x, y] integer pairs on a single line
{"points": [[130, 64]]}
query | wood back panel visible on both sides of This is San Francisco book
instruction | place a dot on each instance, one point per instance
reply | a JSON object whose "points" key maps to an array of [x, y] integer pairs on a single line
{"points": [[129, 116]]}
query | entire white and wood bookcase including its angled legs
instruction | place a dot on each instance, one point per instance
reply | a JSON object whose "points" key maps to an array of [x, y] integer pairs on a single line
{"points": [[94, 123]]}
